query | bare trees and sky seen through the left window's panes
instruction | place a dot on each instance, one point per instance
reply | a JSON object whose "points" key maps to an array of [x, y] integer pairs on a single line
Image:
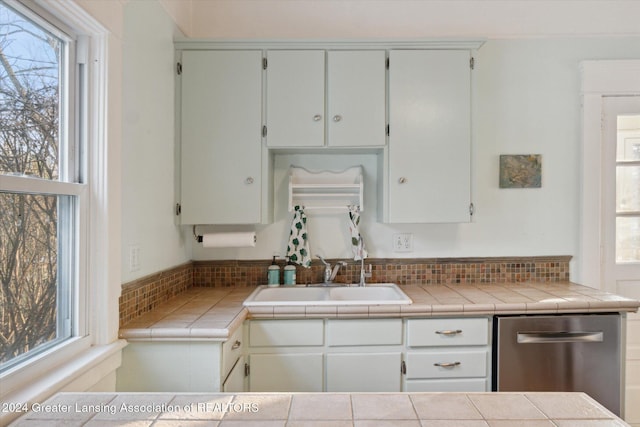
{"points": [[29, 135]]}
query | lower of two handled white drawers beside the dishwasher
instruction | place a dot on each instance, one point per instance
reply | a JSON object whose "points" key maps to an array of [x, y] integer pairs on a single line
{"points": [[447, 364]]}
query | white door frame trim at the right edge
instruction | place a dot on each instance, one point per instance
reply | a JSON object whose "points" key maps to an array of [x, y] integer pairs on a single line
{"points": [[599, 79]]}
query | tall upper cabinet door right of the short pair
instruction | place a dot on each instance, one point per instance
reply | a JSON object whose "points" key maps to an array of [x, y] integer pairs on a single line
{"points": [[430, 135]]}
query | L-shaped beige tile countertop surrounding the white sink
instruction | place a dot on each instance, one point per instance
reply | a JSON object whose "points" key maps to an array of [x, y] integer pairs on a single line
{"points": [[213, 314]]}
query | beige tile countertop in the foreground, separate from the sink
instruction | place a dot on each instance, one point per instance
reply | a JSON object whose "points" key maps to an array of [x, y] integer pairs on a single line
{"points": [[335, 409]]}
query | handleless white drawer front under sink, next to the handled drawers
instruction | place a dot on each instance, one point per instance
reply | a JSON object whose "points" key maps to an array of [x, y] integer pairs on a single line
{"points": [[364, 332]]}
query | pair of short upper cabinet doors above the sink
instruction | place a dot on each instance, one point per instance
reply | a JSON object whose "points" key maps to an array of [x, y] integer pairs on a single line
{"points": [[348, 112]]}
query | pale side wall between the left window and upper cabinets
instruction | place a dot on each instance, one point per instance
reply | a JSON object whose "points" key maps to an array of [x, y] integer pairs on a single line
{"points": [[148, 172]]}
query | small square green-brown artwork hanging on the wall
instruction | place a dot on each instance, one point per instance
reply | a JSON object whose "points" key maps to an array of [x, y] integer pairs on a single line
{"points": [[521, 171]]}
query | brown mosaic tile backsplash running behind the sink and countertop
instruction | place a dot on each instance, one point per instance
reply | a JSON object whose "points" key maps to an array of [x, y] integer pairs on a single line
{"points": [[142, 295]]}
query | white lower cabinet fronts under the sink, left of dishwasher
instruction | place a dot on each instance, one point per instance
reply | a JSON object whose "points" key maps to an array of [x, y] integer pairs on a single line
{"points": [[369, 355]]}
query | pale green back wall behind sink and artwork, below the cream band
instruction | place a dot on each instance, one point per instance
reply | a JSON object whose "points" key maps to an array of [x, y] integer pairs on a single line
{"points": [[526, 100]]}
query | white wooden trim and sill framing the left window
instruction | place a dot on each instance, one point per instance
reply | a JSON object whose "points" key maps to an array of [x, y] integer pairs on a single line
{"points": [[79, 362]]}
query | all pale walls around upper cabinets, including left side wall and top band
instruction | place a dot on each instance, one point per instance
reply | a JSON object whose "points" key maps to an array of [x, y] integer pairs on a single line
{"points": [[526, 100]]}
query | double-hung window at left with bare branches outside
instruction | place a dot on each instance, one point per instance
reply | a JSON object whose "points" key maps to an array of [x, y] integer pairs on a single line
{"points": [[41, 193]]}
